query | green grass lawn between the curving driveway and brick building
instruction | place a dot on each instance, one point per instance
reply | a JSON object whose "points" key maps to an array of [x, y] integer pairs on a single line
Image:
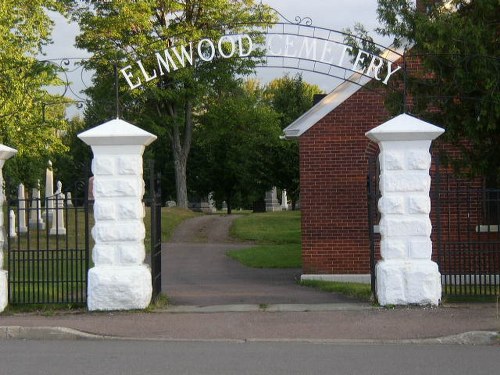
{"points": [[277, 238]]}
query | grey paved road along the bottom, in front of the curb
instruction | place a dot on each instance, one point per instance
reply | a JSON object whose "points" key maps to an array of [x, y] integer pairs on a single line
{"points": [[134, 357]]}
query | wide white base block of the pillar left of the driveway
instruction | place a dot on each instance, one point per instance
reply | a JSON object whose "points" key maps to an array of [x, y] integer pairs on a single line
{"points": [[119, 288]]}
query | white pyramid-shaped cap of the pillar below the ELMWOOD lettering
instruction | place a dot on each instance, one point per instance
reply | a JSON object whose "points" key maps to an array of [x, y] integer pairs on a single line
{"points": [[116, 132]]}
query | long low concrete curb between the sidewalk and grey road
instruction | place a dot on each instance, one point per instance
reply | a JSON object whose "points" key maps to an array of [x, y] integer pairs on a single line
{"points": [[62, 333]]}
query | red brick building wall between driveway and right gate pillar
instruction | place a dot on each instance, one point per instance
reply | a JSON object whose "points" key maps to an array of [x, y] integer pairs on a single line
{"points": [[333, 167]]}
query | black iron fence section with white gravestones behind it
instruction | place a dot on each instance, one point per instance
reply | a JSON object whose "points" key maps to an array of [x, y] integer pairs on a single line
{"points": [[48, 242]]}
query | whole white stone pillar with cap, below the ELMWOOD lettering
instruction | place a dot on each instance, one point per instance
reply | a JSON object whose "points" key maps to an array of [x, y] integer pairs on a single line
{"points": [[119, 280]]}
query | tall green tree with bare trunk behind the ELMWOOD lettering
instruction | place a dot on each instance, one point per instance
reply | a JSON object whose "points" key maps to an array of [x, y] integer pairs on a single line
{"points": [[122, 31]]}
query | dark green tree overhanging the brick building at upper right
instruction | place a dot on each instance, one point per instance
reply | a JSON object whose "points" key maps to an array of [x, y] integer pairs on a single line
{"points": [[457, 43]]}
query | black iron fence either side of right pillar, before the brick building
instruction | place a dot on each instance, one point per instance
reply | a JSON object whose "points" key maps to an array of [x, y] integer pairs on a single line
{"points": [[466, 238]]}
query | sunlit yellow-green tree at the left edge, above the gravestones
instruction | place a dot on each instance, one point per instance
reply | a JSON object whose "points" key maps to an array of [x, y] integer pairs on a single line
{"points": [[31, 119]]}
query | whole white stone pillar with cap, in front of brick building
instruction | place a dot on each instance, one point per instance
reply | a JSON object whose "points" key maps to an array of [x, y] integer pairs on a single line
{"points": [[406, 274]]}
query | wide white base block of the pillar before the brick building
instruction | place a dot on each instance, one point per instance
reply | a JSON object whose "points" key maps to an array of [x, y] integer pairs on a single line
{"points": [[404, 282]]}
